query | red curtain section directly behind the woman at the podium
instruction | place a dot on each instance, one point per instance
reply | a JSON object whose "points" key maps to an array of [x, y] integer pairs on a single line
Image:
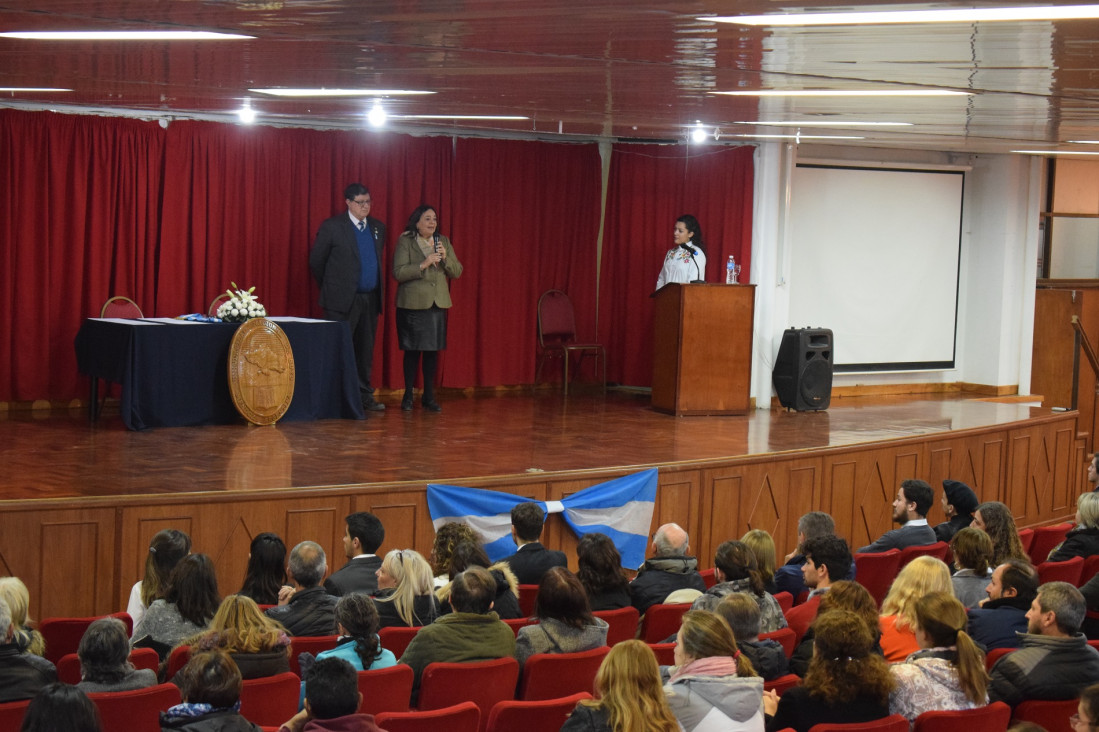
{"points": [[650, 187]]}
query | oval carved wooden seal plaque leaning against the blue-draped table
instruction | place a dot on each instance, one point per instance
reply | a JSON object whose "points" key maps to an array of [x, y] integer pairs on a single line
{"points": [[261, 372]]}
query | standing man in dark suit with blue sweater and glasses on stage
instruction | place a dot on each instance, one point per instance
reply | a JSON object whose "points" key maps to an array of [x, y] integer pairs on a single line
{"points": [[347, 263]]}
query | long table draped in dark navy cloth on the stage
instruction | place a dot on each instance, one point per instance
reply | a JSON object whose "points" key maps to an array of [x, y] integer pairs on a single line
{"points": [[176, 373]]}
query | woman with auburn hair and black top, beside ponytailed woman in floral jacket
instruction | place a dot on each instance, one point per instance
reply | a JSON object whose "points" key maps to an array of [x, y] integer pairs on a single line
{"points": [[847, 682]]}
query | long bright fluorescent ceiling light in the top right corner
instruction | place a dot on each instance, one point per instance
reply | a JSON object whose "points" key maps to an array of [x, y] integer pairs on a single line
{"points": [[951, 16]]}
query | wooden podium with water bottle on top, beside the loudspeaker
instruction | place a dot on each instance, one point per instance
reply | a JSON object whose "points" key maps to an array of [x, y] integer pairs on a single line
{"points": [[703, 349]]}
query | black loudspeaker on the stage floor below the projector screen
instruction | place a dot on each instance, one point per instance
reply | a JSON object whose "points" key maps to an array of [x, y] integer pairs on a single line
{"points": [[803, 374]]}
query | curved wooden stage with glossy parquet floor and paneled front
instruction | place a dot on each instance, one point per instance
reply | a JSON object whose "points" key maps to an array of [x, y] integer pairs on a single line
{"points": [[80, 549]]}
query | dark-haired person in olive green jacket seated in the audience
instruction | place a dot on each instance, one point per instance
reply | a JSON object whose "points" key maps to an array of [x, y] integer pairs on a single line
{"points": [[472, 633]]}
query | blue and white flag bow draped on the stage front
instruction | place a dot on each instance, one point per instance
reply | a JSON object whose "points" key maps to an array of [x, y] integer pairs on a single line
{"points": [[623, 509]]}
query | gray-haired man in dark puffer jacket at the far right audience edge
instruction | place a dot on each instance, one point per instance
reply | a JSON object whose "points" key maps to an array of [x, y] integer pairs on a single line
{"points": [[1056, 661]]}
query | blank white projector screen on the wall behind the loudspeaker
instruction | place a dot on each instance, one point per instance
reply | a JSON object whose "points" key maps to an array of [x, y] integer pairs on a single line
{"points": [[874, 257]]}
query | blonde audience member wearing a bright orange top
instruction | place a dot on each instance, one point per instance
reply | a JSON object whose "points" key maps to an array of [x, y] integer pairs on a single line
{"points": [[920, 576]]}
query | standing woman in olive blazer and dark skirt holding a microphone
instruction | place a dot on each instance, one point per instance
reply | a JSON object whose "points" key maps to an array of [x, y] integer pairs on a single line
{"points": [[424, 264]]}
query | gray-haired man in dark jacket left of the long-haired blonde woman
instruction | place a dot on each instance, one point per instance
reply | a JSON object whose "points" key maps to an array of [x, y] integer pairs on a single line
{"points": [[305, 608]]}
